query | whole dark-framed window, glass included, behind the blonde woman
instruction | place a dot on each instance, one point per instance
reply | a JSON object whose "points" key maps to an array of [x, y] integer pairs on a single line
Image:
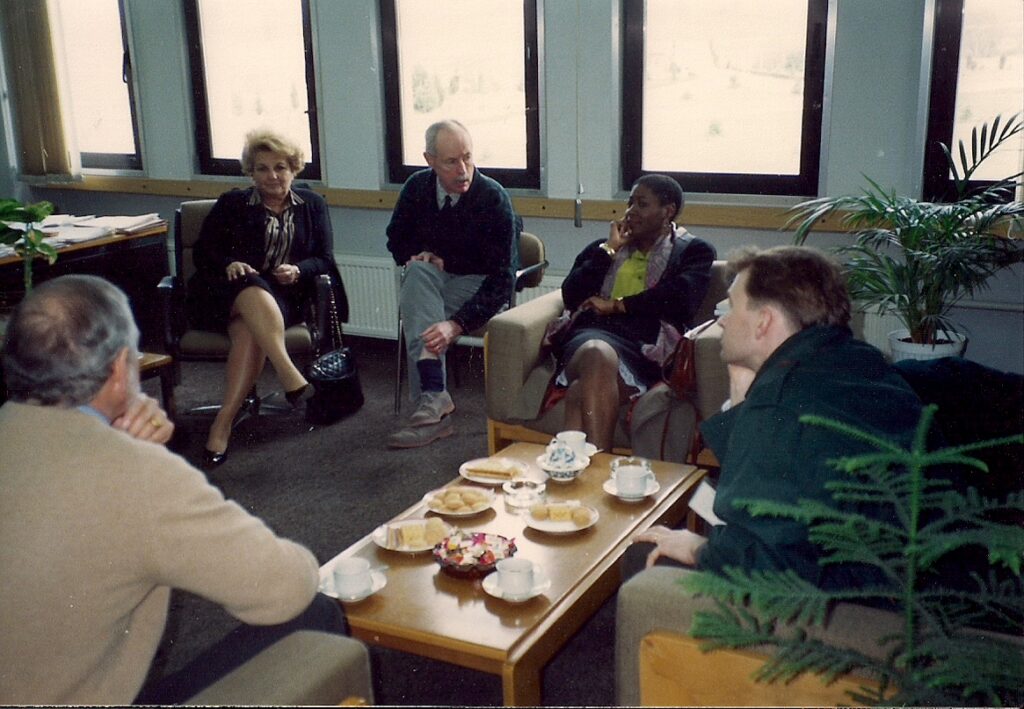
{"points": [[252, 68]]}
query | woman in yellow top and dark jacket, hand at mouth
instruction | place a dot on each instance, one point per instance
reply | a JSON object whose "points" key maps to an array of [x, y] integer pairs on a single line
{"points": [[627, 302]]}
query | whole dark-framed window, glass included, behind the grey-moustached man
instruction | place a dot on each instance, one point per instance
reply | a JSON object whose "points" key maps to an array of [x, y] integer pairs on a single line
{"points": [[475, 61]]}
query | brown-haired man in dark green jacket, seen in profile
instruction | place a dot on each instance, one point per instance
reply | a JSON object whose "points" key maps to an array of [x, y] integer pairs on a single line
{"points": [[790, 351]]}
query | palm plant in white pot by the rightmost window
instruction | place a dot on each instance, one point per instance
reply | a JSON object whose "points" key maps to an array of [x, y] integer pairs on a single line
{"points": [[917, 260]]}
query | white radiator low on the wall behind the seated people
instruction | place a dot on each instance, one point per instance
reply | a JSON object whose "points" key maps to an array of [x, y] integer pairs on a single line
{"points": [[373, 296]]}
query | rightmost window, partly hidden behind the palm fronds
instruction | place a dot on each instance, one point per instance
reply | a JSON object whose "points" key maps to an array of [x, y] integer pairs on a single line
{"points": [[977, 74]]}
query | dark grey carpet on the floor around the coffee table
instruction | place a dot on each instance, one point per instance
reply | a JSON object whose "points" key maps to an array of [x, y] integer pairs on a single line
{"points": [[328, 486]]}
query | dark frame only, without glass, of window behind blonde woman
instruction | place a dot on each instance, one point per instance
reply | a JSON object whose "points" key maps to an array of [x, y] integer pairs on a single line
{"points": [[208, 165]]}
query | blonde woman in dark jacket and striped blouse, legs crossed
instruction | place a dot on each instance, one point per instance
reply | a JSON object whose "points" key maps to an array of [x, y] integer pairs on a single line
{"points": [[258, 260]]}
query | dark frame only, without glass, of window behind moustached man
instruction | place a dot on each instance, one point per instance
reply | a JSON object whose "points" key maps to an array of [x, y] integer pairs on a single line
{"points": [[398, 171]]}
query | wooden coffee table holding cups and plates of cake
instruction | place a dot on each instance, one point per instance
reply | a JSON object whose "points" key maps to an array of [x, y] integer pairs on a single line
{"points": [[429, 613]]}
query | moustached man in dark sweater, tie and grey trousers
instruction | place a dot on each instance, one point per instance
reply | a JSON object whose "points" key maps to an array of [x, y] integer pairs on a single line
{"points": [[455, 233]]}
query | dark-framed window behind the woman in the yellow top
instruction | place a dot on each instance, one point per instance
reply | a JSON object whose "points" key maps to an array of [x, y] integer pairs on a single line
{"points": [[726, 96]]}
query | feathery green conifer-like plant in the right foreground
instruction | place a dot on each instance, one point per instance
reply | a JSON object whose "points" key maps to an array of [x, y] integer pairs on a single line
{"points": [[932, 660]]}
